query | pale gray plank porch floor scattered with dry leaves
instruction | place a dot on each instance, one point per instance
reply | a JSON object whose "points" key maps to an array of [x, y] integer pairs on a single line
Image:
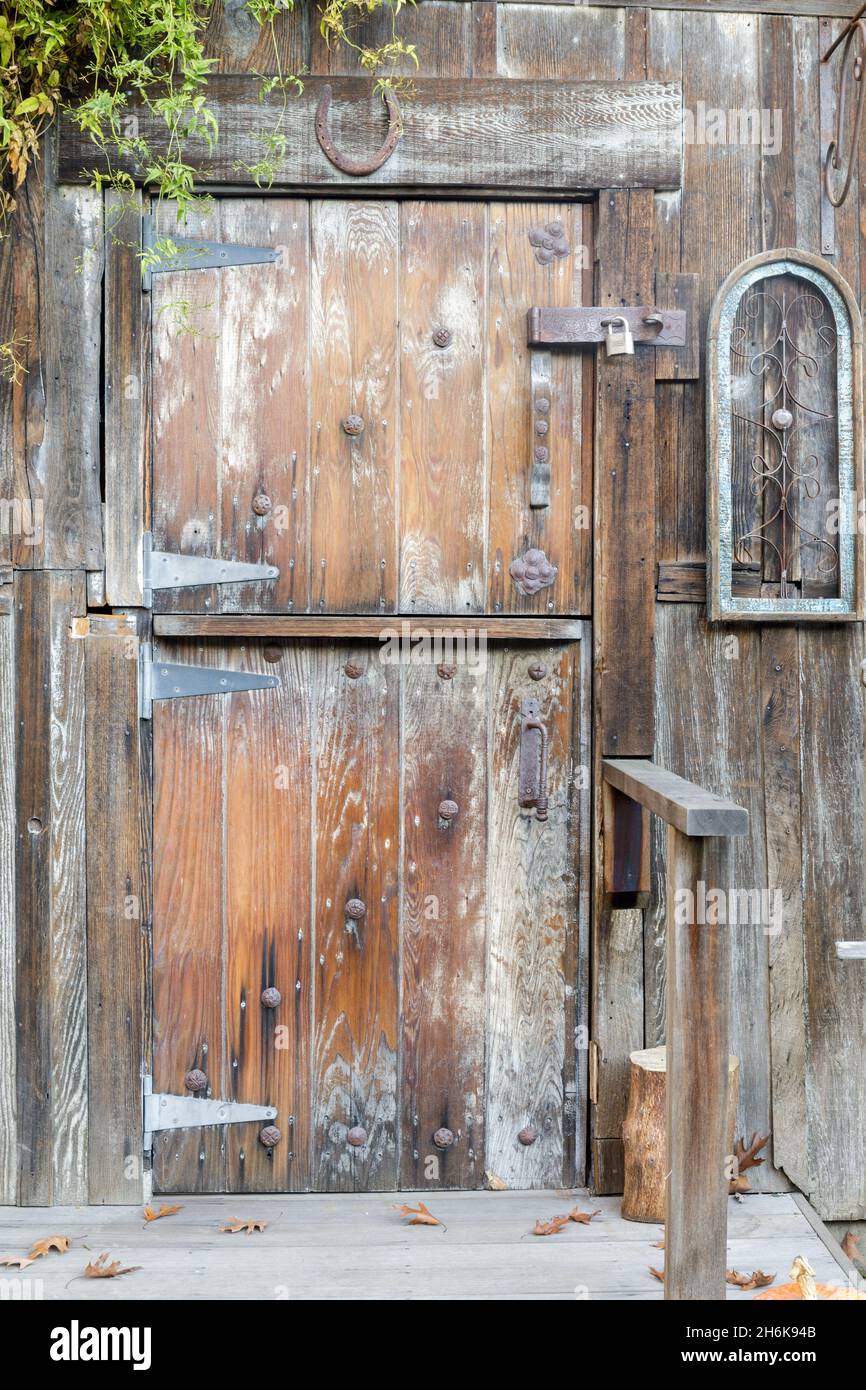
{"points": [[357, 1246]]}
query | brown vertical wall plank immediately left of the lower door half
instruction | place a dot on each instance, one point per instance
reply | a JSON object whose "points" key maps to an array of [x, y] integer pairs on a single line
{"points": [[116, 933]]}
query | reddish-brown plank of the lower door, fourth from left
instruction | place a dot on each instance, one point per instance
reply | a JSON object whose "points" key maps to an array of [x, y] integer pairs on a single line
{"points": [[444, 915]]}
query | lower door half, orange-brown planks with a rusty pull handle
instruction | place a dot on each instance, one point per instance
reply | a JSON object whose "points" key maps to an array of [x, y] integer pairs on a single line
{"points": [[357, 842]]}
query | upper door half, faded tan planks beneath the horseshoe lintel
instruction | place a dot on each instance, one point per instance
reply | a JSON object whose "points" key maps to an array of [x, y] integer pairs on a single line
{"points": [[366, 414]]}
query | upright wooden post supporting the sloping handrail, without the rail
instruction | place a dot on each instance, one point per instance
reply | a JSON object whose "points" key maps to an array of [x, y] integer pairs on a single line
{"points": [[698, 1001]]}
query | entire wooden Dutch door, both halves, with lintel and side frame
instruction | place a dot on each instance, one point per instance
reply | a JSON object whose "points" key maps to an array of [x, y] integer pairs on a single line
{"points": [[368, 541]]}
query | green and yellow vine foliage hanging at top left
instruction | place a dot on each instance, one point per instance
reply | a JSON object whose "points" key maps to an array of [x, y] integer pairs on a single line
{"points": [[95, 58]]}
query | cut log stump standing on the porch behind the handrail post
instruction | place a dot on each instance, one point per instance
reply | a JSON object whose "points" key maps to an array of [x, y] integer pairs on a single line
{"points": [[644, 1134]]}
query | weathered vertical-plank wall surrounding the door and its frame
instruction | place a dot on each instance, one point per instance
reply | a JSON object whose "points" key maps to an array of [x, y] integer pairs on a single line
{"points": [[776, 722]]}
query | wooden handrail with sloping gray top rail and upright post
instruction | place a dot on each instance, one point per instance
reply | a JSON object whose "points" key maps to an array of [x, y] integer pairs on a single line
{"points": [[700, 831]]}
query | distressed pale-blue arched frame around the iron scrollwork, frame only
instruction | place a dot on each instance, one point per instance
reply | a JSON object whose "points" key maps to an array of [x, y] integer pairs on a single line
{"points": [[722, 604]]}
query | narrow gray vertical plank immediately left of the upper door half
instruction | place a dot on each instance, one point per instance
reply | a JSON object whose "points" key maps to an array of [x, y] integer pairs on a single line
{"points": [[127, 383]]}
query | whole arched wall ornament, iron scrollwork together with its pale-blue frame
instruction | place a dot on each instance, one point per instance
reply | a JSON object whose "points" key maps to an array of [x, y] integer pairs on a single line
{"points": [[785, 444]]}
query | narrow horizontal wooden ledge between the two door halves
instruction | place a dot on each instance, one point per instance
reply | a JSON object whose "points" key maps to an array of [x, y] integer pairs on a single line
{"points": [[398, 630]]}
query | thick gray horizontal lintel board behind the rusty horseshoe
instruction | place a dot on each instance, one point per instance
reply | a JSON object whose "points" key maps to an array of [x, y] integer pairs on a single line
{"points": [[491, 134]]}
